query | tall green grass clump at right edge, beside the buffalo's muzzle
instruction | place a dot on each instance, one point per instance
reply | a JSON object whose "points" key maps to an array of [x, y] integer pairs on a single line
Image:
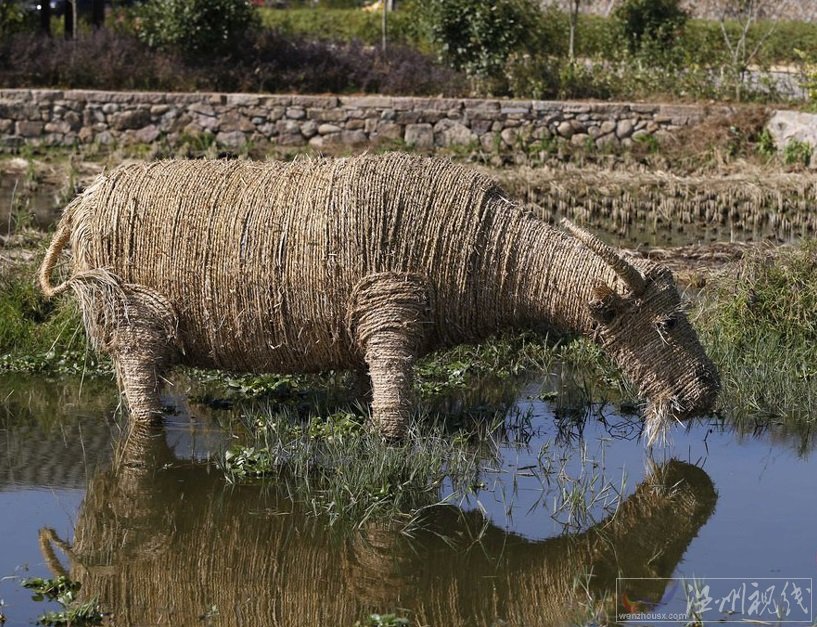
{"points": [[759, 327]]}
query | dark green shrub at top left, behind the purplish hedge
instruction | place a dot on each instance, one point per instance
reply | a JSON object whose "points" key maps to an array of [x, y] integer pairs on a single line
{"points": [[201, 28]]}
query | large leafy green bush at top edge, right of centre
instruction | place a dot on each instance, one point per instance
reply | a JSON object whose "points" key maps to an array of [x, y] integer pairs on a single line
{"points": [[477, 36]]}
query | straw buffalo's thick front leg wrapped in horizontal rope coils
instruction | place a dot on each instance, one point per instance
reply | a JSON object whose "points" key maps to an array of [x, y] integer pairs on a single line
{"points": [[388, 319]]}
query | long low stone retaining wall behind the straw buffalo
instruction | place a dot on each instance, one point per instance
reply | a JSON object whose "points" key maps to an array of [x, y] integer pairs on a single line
{"points": [[53, 117]]}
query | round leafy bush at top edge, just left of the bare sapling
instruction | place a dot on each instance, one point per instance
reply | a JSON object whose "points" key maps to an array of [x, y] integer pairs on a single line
{"points": [[649, 22]]}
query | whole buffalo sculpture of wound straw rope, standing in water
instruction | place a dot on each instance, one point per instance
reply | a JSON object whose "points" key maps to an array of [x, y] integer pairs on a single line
{"points": [[365, 262]]}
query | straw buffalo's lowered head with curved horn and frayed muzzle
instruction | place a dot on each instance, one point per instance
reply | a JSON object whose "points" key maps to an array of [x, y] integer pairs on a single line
{"points": [[640, 321]]}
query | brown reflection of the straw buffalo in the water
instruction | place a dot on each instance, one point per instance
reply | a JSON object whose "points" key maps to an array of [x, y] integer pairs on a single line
{"points": [[166, 542]]}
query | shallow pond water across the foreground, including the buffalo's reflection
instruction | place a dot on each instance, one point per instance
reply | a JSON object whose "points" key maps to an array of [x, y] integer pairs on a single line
{"points": [[168, 540]]}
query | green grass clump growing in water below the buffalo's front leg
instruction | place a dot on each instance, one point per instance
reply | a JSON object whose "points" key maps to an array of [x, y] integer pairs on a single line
{"points": [[345, 472]]}
